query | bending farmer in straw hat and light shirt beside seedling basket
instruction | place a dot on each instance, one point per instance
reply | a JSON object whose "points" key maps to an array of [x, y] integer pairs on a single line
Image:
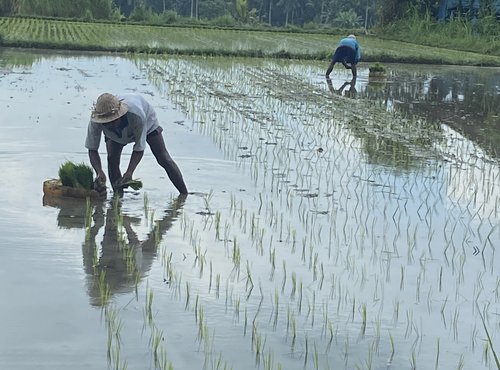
{"points": [[123, 120]]}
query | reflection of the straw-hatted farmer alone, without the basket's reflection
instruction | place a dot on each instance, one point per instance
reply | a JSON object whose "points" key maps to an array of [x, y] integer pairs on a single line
{"points": [[123, 259]]}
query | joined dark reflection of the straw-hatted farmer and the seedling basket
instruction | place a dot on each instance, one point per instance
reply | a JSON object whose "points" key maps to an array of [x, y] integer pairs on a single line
{"points": [[121, 260]]}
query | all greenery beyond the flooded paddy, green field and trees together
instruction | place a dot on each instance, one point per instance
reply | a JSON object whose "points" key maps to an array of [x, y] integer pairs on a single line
{"points": [[408, 21]]}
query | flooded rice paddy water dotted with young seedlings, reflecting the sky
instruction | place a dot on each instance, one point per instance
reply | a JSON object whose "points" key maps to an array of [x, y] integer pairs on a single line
{"points": [[324, 230]]}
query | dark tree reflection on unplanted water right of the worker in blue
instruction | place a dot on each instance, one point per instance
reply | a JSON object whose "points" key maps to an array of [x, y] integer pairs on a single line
{"points": [[466, 99]]}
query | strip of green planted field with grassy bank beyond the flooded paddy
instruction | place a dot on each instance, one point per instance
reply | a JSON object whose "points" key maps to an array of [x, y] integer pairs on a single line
{"points": [[115, 37]]}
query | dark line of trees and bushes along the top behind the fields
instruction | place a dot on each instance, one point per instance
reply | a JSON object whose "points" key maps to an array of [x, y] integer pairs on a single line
{"points": [[282, 13]]}
